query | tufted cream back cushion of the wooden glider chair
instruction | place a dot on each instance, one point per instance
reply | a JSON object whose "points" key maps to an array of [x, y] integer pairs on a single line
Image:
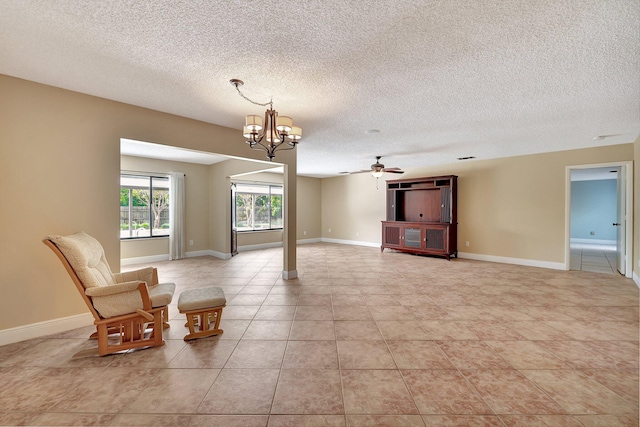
{"points": [[86, 257]]}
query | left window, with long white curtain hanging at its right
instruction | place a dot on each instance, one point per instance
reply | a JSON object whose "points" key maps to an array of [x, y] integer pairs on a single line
{"points": [[144, 206]]}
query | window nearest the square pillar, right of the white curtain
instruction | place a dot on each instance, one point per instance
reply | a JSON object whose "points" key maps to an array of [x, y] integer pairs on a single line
{"points": [[258, 207]]}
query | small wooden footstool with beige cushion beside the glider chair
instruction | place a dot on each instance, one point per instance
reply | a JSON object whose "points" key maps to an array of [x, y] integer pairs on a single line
{"points": [[203, 308]]}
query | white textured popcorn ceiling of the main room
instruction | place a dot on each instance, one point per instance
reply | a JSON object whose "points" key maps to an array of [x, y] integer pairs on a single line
{"points": [[439, 79]]}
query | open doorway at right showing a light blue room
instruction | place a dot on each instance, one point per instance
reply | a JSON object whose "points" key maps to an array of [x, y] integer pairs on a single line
{"points": [[599, 213]]}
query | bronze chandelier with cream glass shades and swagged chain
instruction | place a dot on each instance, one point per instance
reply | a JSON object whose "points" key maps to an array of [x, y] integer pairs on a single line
{"points": [[275, 133]]}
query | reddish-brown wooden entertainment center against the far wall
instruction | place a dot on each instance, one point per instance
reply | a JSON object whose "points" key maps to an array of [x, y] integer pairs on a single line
{"points": [[422, 216]]}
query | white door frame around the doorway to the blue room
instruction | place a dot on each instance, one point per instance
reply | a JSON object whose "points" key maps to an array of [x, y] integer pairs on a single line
{"points": [[626, 174]]}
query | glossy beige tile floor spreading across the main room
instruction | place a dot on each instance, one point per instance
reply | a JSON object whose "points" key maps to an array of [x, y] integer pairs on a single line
{"points": [[362, 338]]}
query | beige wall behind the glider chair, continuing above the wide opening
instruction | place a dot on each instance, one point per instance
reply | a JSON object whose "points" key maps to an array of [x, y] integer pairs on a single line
{"points": [[60, 168]]}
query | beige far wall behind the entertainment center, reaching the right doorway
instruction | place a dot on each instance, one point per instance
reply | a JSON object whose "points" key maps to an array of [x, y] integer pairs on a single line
{"points": [[511, 207]]}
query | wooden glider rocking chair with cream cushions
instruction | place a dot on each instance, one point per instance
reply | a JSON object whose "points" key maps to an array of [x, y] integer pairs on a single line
{"points": [[130, 309]]}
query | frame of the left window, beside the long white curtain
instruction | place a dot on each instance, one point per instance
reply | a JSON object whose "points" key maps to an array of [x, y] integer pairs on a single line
{"points": [[150, 177]]}
